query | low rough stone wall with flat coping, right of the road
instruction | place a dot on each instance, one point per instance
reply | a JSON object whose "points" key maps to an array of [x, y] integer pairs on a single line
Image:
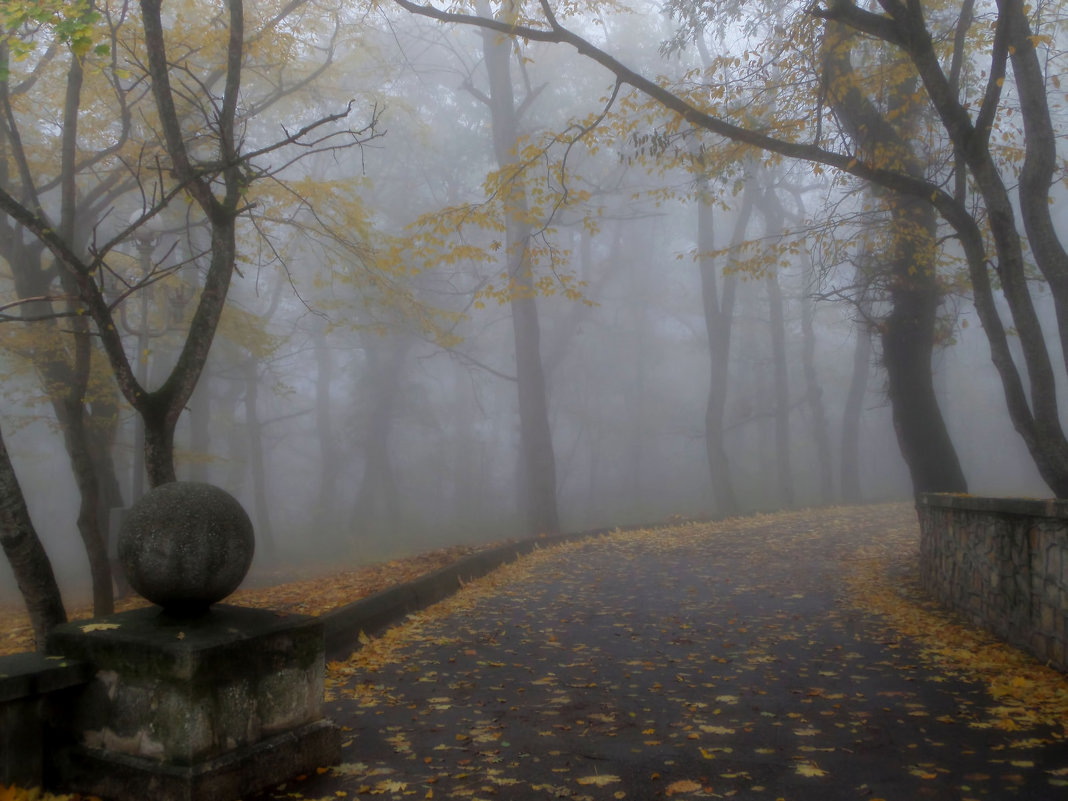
{"points": [[1002, 563]]}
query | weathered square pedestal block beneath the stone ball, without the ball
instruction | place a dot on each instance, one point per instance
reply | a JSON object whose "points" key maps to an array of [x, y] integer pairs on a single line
{"points": [[211, 709]]}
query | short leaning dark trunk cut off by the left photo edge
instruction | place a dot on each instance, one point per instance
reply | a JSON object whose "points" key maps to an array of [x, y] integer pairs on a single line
{"points": [[34, 572]]}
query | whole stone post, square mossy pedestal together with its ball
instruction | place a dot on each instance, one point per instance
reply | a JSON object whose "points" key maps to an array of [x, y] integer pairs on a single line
{"points": [[192, 700]]}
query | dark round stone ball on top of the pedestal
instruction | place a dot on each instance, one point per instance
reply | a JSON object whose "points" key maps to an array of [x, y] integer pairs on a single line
{"points": [[186, 546]]}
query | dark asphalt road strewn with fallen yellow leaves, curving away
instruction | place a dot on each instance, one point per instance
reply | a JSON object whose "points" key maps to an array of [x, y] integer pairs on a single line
{"points": [[703, 662]]}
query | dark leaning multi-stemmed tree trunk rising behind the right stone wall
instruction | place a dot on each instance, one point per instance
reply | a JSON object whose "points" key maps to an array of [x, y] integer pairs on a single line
{"points": [[1033, 411]]}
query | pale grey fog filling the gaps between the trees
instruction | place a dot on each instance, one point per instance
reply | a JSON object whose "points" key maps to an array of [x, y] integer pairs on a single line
{"points": [[363, 402]]}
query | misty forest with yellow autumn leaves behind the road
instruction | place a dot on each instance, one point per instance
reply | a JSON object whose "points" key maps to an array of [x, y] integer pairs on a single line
{"points": [[401, 277]]}
